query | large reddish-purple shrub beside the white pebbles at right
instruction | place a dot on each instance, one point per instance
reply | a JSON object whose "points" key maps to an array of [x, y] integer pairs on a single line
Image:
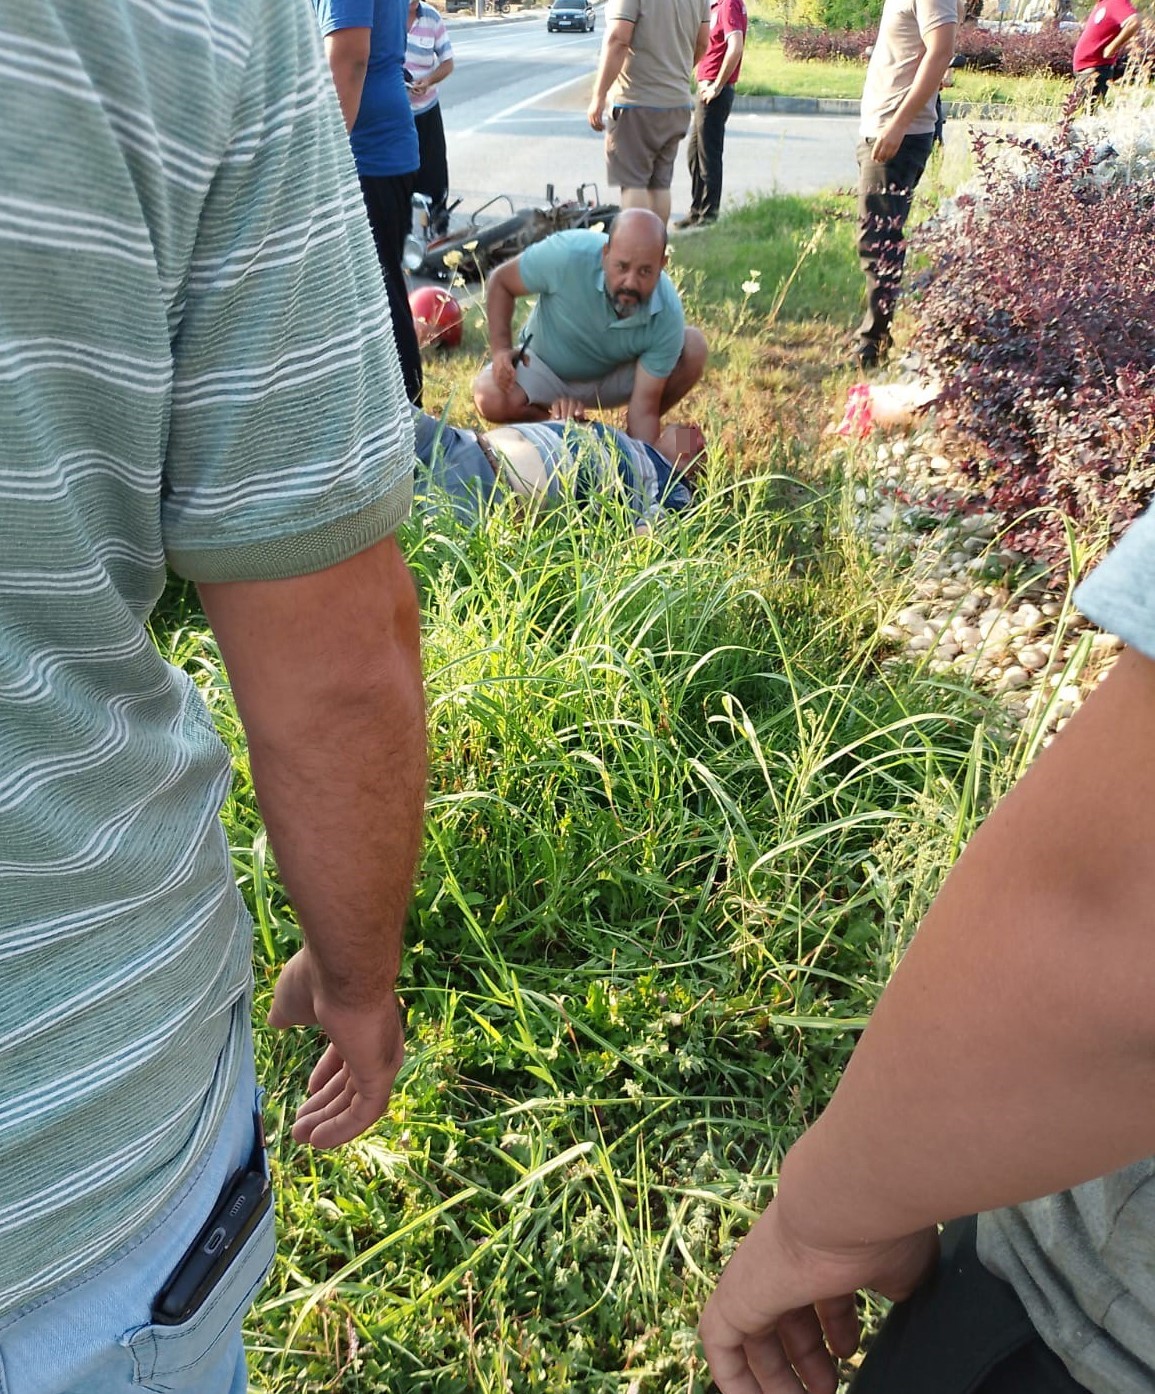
{"points": [[1039, 317]]}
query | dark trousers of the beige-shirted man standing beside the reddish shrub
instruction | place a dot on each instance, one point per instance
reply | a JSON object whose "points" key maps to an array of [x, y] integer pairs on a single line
{"points": [[885, 194]]}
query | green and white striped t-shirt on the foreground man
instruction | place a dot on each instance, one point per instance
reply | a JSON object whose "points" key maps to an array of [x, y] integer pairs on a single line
{"points": [[196, 365]]}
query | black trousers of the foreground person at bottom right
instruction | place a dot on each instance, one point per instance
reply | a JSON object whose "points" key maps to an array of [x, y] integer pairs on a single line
{"points": [[965, 1332]]}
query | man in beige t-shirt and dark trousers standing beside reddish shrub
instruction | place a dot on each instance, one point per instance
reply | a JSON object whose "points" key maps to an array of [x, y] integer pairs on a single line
{"points": [[913, 51]]}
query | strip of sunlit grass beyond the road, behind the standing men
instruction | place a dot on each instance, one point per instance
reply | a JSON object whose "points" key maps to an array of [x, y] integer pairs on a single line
{"points": [[767, 72]]}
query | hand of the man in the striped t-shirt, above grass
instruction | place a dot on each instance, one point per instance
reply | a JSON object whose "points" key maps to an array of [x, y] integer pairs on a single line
{"points": [[350, 1085]]}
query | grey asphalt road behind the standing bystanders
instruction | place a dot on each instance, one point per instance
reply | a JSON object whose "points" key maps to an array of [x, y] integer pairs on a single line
{"points": [[515, 112]]}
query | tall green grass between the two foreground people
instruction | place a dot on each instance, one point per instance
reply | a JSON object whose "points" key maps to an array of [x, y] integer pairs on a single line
{"points": [[682, 823]]}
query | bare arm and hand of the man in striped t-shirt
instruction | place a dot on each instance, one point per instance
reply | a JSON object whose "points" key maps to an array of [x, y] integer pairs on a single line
{"points": [[327, 675]]}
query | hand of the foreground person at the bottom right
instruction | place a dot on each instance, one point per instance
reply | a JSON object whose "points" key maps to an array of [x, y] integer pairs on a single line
{"points": [[785, 1311]]}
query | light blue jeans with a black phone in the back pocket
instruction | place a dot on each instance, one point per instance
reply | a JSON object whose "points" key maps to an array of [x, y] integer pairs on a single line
{"points": [[95, 1336]]}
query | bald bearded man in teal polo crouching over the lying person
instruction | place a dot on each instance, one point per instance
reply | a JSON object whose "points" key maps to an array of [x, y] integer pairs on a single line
{"points": [[608, 330]]}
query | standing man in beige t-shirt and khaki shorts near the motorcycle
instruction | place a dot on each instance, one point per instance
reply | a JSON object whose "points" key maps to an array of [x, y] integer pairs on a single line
{"points": [[649, 54]]}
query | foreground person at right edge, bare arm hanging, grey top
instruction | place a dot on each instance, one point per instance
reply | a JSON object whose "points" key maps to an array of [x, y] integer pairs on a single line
{"points": [[1008, 1071]]}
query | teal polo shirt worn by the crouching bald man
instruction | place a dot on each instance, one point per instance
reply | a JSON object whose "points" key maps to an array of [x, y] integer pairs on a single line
{"points": [[575, 327]]}
